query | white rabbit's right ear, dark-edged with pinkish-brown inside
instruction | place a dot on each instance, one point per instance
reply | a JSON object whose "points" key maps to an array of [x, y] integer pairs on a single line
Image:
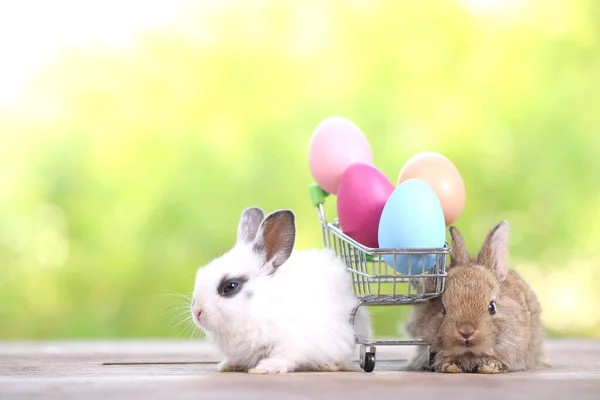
{"points": [[275, 239]]}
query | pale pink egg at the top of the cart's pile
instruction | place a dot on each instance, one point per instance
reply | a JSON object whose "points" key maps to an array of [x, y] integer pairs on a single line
{"points": [[335, 144]]}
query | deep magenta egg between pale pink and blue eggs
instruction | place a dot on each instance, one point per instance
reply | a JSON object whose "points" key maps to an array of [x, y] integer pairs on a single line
{"points": [[362, 193]]}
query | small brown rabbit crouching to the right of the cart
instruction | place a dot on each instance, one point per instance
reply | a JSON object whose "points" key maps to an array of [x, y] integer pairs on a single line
{"points": [[487, 320]]}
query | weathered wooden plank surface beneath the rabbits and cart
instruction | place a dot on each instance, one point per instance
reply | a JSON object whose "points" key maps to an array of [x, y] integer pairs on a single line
{"points": [[174, 370]]}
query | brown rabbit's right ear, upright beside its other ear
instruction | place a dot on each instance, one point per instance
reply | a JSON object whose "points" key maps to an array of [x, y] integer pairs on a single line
{"points": [[494, 251]]}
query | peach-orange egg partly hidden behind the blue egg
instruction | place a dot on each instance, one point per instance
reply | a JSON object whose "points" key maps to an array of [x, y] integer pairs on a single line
{"points": [[442, 176]]}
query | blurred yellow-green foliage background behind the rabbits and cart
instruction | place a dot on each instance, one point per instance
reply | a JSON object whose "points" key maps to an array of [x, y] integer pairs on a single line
{"points": [[123, 170]]}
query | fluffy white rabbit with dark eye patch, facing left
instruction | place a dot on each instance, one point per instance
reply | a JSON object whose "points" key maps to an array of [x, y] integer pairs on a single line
{"points": [[270, 309]]}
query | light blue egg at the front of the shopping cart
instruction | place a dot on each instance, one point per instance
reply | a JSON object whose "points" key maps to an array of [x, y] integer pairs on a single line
{"points": [[412, 218]]}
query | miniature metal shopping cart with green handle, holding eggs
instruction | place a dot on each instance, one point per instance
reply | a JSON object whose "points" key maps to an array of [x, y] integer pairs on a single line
{"points": [[376, 283]]}
